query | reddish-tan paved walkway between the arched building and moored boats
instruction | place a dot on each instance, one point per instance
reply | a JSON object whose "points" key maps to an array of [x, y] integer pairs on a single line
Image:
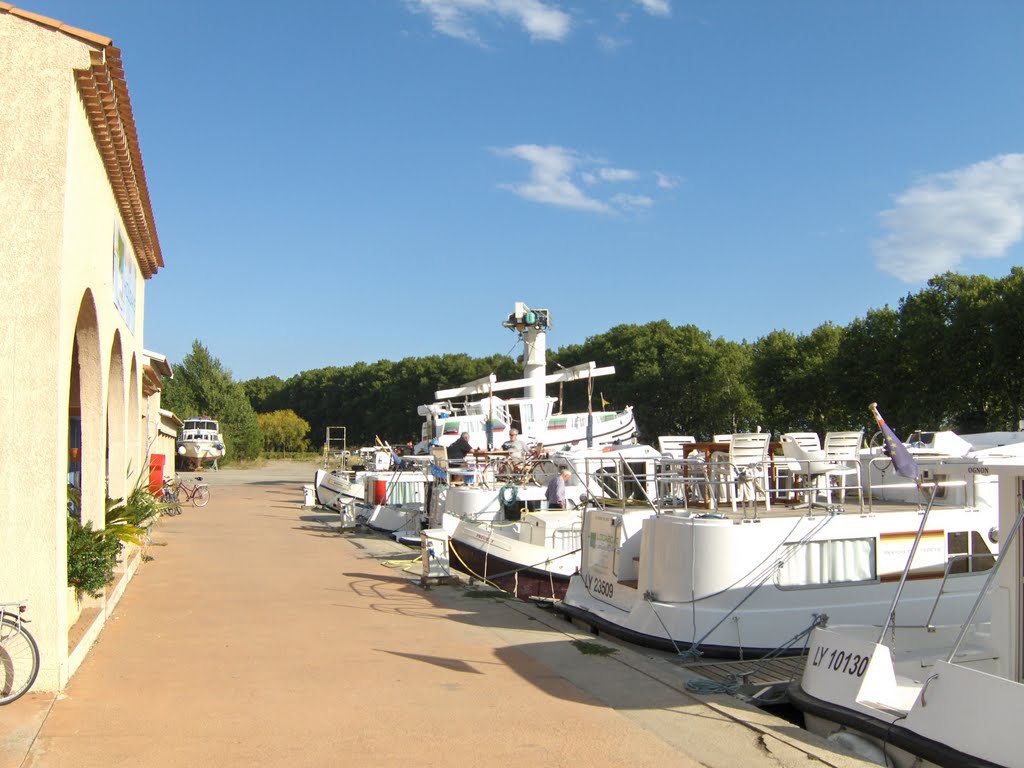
{"points": [[260, 636]]}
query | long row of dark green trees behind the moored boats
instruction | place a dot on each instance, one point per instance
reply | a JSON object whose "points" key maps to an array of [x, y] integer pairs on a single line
{"points": [[950, 357]]}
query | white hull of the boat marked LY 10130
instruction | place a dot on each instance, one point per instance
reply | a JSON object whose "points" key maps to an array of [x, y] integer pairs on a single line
{"points": [[909, 699]]}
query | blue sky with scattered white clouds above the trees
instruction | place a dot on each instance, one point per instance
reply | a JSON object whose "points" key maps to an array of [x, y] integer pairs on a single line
{"points": [[367, 180]]}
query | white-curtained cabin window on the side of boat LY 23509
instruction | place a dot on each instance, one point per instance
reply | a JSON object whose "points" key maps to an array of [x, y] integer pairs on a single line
{"points": [[818, 564]]}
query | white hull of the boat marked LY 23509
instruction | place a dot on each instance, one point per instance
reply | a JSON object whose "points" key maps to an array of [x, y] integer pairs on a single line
{"points": [[745, 588]]}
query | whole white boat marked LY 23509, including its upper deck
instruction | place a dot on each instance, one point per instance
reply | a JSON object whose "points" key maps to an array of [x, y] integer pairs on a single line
{"points": [[753, 581]]}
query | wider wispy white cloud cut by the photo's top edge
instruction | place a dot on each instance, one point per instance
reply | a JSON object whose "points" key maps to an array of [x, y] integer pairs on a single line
{"points": [[456, 18]]}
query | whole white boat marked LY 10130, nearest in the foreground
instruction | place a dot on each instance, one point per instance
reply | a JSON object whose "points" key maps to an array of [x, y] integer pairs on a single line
{"points": [[944, 696]]}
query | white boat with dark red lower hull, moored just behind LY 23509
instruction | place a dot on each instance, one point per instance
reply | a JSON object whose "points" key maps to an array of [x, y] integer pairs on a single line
{"points": [[505, 535]]}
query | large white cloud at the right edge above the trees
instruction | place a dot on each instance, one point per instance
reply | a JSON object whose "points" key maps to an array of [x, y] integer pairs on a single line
{"points": [[976, 211]]}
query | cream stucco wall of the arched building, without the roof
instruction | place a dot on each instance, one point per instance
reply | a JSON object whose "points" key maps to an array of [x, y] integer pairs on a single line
{"points": [[57, 238]]}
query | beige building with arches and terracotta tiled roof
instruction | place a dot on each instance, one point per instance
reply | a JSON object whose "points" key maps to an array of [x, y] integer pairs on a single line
{"points": [[77, 244]]}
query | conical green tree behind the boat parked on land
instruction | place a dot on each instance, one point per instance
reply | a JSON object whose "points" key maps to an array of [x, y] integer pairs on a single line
{"points": [[203, 388]]}
